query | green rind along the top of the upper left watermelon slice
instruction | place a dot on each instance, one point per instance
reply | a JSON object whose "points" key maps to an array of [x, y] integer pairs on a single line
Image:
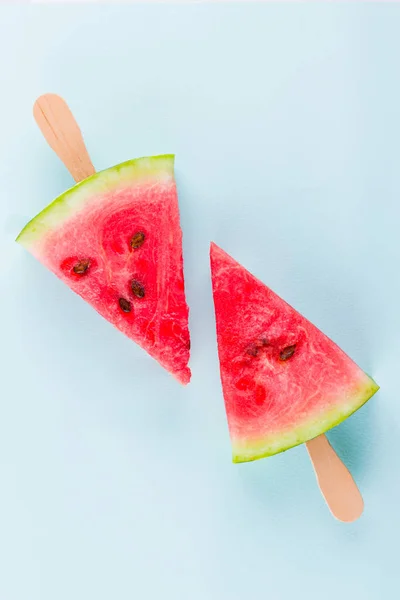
{"points": [[149, 168]]}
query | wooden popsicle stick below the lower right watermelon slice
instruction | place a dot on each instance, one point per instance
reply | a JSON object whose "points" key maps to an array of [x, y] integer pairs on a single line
{"points": [[335, 481]]}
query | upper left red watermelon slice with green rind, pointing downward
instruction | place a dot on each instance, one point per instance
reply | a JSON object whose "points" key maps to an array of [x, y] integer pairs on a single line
{"points": [[115, 239]]}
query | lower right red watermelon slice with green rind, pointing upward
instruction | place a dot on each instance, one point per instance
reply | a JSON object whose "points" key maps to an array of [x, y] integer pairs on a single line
{"points": [[284, 382]]}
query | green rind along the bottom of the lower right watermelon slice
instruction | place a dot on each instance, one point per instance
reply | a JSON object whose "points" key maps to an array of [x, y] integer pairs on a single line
{"points": [[311, 428]]}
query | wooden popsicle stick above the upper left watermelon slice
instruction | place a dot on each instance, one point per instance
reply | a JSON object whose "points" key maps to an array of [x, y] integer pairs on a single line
{"points": [[63, 135]]}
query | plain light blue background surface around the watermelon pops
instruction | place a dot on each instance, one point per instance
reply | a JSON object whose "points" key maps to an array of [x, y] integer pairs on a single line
{"points": [[116, 483]]}
